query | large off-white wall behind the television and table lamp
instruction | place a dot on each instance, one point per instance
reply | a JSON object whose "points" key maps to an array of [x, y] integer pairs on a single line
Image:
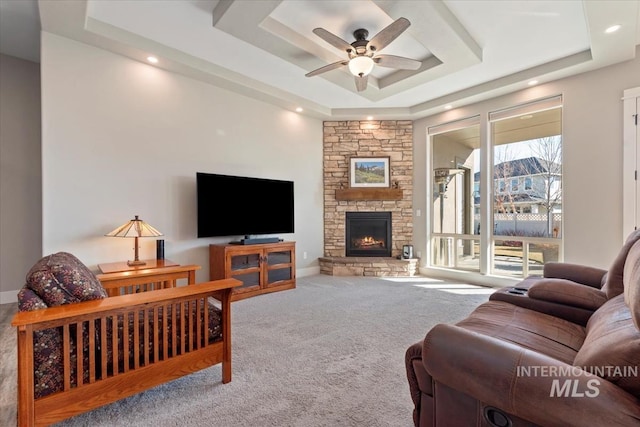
{"points": [[123, 138]]}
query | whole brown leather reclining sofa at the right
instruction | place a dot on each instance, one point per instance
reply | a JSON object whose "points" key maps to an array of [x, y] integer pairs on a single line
{"points": [[535, 362]]}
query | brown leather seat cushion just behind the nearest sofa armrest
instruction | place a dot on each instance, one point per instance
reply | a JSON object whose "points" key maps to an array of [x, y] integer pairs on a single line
{"points": [[530, 329]]}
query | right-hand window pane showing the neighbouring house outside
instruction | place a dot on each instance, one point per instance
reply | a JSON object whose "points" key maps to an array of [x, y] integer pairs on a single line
{"points": [[527, 146]]}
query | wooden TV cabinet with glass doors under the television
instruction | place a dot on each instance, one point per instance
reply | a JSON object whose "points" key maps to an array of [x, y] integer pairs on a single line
{"points": [[262, 268]]}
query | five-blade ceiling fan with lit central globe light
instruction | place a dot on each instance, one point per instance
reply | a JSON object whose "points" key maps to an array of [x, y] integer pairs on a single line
{"points": [[362, 53]]}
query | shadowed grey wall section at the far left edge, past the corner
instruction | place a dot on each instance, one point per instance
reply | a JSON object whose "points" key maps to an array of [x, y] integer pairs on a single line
{"points": [[20, 189]]}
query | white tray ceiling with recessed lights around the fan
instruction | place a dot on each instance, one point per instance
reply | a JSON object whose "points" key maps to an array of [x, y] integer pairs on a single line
{"points": [[470, 50]]}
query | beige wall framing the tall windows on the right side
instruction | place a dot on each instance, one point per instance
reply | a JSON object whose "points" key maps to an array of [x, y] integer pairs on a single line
{"points": [[592, 163]]}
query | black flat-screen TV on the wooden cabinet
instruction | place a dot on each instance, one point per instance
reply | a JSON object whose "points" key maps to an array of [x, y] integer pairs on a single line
{"points": [[243, 206]]}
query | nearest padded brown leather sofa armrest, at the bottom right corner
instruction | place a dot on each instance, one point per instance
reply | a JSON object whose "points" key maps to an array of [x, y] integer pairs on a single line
{"points": [[524, 383]]}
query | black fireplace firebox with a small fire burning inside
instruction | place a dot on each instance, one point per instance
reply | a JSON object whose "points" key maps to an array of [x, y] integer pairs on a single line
{"points": [[368, 234]]}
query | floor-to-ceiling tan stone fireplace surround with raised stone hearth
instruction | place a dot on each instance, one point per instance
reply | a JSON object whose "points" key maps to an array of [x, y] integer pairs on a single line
{"points": [[372, 138]]}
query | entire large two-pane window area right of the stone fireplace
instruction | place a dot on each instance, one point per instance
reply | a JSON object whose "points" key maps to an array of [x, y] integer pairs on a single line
{"points": [[518, 225]]}
